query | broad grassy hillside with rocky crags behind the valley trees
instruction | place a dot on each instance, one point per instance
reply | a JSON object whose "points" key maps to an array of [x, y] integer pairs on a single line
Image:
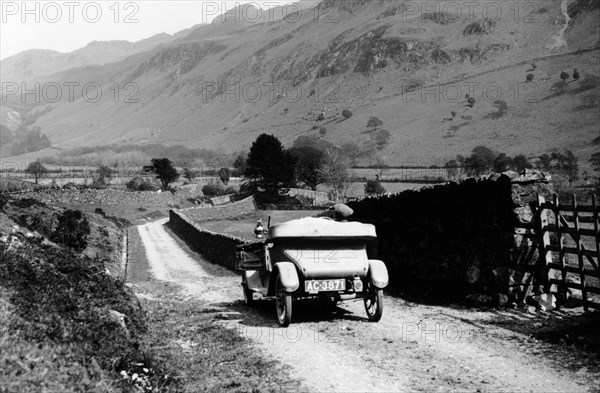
{"points": [[220, 86]]}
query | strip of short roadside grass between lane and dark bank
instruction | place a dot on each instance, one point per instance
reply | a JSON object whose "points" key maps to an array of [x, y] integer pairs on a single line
{"points": [[186, 336]]}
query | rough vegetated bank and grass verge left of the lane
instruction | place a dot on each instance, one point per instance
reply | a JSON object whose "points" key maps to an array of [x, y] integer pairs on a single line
{"points": [[70, 325]]}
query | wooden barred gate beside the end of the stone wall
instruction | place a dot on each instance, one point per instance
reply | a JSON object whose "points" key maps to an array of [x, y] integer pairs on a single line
{"points": [[571, 250]]}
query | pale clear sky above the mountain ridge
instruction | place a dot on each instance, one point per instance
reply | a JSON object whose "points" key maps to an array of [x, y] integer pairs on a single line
{"points": [[67, 25]]}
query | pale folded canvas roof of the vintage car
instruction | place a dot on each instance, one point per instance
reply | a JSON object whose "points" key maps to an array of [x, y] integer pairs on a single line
{"points": [[321, 228]]}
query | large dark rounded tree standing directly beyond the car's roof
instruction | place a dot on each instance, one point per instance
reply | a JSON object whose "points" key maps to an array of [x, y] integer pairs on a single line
{"points": [[269, 168]]}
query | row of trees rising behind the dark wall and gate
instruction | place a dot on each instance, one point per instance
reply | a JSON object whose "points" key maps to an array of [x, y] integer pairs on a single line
{"points": [[484, 160]]}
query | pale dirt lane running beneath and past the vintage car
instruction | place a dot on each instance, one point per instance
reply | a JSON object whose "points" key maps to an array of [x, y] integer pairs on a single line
{"points": [[413, 348]]}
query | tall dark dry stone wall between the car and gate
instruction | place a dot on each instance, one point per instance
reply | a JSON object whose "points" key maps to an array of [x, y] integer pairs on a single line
{"points": [[449, 241]]}
